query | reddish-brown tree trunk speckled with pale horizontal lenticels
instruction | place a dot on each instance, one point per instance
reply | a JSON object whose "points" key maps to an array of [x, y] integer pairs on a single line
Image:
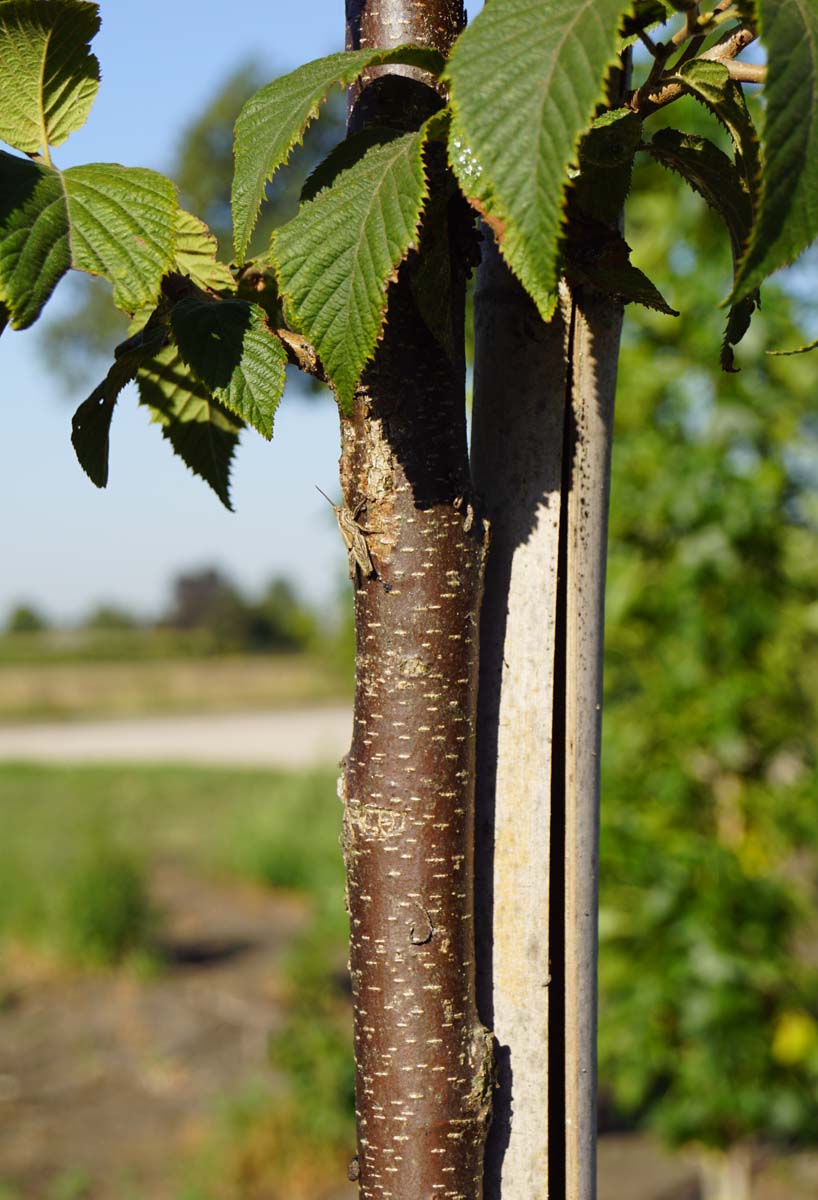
{"points": [[424, 1075]]}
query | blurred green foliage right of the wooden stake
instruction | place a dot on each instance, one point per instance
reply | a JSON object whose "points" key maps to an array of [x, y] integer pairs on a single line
{"points": [[709, 982]]}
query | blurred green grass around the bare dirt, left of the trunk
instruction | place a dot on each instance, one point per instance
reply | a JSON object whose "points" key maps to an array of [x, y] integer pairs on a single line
{"points": [[79, 854]]}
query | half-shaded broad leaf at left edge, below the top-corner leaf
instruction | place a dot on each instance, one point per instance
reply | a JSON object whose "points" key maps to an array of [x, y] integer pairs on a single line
{"points": [[103, 219]]}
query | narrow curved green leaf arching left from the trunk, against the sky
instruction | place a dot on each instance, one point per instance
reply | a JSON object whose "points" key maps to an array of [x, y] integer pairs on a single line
{"points": [[275, 119]]}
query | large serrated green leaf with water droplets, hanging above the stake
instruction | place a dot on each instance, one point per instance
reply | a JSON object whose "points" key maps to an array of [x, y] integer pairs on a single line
{"points": [[526, 79]]}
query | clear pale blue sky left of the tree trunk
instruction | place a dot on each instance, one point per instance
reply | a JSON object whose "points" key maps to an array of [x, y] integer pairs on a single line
{"points": [[64, 545]]}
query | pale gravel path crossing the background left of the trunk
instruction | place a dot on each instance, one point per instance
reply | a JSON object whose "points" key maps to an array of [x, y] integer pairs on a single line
{"points": [[297, 739]]}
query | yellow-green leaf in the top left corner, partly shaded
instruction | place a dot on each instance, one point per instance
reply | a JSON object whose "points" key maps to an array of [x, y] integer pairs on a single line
{"points": [[49, 76]]}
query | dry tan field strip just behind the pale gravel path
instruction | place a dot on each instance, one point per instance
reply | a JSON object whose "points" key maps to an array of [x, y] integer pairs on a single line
{"points": [[76, 689]]}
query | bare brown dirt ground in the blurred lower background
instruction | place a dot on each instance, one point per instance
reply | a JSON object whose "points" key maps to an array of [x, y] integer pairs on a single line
{"points": [[109, 1079]]}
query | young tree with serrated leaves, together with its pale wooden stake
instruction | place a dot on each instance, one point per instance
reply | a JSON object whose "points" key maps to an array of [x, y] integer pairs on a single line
{"points": [[528, 119]]}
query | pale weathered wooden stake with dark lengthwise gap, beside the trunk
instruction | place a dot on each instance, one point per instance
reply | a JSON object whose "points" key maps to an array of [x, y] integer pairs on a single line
{"points": [[542, 447]]}
